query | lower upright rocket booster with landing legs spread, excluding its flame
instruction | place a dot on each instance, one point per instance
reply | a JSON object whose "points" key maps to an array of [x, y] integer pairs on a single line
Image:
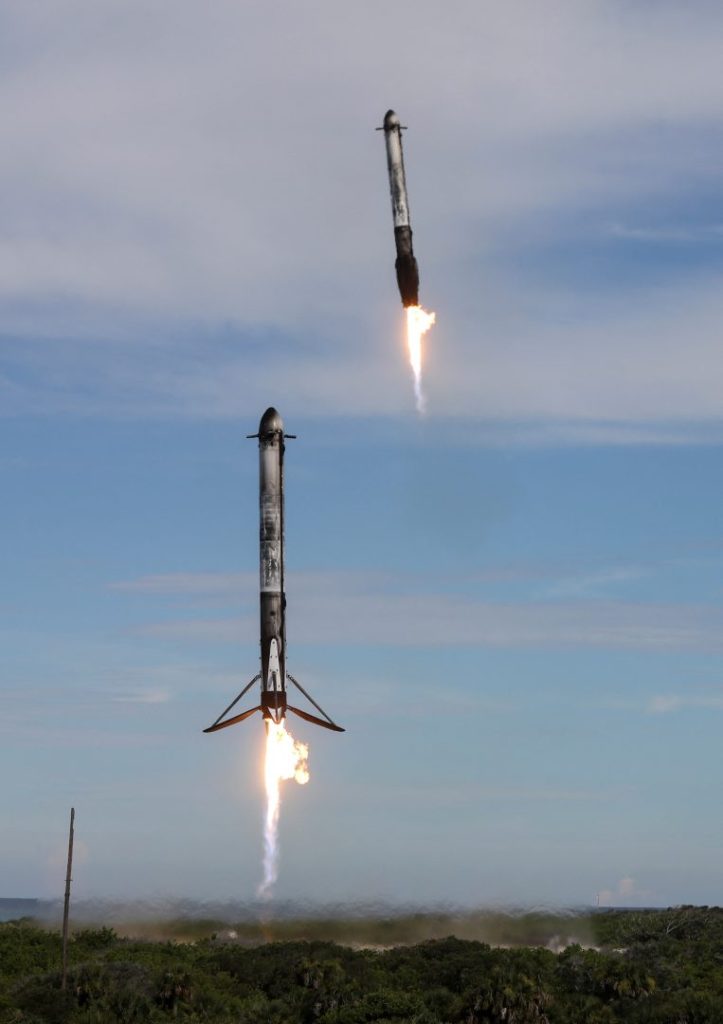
{"points": [[274, 676]]}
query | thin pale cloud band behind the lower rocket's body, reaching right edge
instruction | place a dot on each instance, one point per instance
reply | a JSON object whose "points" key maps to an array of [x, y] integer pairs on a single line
{"points": [[373, 609]]}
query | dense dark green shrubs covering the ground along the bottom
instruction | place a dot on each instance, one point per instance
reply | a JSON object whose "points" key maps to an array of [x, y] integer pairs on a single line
{"points": [[653, 967]]}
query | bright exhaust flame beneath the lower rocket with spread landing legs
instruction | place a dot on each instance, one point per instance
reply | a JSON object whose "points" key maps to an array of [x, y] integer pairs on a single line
{"points": [[286, 758]]}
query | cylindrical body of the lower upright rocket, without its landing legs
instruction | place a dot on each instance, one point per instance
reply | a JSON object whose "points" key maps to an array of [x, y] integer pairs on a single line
{"points": [[272, 596]]}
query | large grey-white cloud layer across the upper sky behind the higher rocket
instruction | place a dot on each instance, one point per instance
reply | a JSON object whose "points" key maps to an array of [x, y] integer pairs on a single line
{"points": [[169, 182]]}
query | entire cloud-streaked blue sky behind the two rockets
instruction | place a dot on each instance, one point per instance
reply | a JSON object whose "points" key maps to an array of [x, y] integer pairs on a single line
{"points": [[514, 605]]}
